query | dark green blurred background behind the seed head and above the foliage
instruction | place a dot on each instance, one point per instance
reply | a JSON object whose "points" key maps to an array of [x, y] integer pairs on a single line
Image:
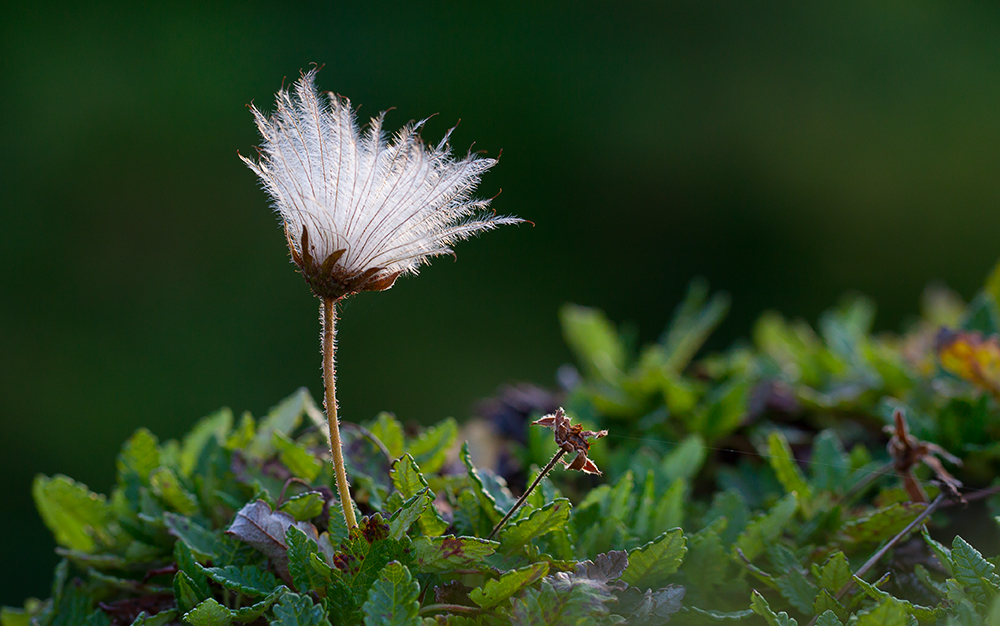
{"points": [[787, 152]]}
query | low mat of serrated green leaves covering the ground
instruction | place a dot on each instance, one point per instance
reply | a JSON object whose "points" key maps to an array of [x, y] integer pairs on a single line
{"points": [[754, 486]]}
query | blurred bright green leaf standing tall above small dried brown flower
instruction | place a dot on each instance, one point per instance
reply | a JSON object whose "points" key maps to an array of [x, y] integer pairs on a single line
{"points": [[594, 340]]}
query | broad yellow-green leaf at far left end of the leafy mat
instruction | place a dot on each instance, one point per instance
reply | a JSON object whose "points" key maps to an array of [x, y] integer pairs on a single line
{"points": [[76, 516]]}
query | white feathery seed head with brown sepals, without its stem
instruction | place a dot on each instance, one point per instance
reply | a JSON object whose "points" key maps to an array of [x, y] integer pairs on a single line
{"points": [[360, 210]]}
